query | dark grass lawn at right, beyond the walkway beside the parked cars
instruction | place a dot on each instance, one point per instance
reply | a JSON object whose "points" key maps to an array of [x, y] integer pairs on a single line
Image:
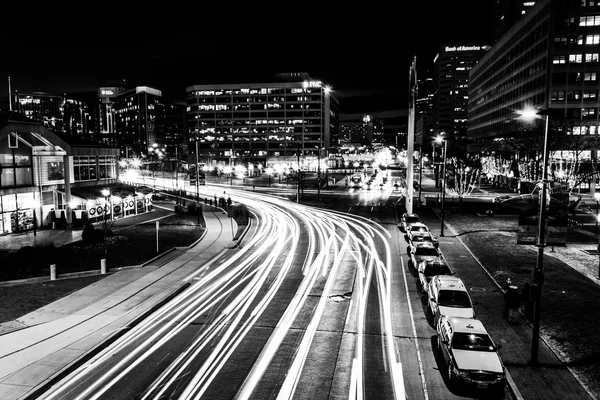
{"points": [[569, 307]]}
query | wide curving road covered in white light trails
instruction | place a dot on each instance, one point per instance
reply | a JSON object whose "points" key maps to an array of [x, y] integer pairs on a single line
{"points": [[305, 296]]}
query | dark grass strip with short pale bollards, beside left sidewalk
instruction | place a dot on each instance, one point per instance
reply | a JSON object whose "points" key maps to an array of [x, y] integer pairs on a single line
{"points": [[130, 246]]}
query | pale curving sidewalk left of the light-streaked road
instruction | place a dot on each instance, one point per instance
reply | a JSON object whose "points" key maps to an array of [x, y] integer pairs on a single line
{"points": [[63, 334]]}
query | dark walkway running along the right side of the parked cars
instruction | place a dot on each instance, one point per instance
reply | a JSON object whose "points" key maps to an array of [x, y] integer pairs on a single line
{"points": [[551, 380]]}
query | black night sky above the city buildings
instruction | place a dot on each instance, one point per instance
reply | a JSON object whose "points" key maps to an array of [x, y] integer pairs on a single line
{"points": [[364, 51]]}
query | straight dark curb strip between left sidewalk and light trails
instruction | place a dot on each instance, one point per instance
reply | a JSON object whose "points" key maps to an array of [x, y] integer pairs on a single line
{"points": [[61, 374]]}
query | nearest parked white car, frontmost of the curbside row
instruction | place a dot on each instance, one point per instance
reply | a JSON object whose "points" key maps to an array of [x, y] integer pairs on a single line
{"points": [[470, 354]]}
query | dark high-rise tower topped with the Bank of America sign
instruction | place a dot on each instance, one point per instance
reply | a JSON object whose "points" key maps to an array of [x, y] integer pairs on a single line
{"points": [[452, 65]]}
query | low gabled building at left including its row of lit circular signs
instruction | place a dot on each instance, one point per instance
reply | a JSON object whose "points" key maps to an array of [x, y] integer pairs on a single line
{"points": [[46, 180]]}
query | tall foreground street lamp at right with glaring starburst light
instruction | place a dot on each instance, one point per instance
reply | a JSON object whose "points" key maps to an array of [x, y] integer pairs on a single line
{"points": [[529, 114]]}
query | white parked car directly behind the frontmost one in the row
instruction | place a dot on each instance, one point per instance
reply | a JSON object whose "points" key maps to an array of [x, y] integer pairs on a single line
{"points": [[448, 297]]}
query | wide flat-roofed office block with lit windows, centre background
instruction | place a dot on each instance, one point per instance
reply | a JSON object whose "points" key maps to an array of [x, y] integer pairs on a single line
{"points": [[250, 122]]}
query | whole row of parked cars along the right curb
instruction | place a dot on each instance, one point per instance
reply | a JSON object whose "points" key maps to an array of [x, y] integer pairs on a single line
{"points": [[470, 353]]}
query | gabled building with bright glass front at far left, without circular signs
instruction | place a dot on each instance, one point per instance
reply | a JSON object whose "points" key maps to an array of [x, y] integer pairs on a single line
{"points": [[38, 170]]}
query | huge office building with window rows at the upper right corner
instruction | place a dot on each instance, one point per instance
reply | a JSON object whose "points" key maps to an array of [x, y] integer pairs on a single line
{"points": [[549, 60]]}
